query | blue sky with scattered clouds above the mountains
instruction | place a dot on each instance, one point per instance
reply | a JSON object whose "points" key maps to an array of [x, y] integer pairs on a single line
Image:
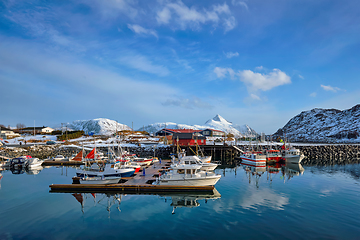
{"points": [[255, 62]]}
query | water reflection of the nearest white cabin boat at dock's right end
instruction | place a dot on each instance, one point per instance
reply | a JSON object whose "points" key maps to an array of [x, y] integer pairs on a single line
{"points": [[190, 200]]}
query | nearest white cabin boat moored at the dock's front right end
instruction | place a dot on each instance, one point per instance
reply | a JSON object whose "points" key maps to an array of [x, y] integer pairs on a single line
{"points": [[188, 175]]}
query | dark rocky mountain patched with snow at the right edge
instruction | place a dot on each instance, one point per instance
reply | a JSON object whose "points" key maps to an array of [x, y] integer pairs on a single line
{"points": [[324, 125]]}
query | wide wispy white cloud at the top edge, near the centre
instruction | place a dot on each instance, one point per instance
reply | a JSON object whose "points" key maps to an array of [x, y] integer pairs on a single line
{"points": [[180, 15]]}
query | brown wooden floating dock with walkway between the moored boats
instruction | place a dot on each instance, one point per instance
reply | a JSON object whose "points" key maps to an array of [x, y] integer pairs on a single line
{"points": [[140, 183]]}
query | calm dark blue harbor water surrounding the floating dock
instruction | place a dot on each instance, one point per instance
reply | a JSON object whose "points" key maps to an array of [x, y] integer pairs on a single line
{"points": [[286, 202]]}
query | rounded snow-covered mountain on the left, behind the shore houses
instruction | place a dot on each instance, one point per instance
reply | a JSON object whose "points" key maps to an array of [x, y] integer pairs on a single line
{"points": [[101, 126]]}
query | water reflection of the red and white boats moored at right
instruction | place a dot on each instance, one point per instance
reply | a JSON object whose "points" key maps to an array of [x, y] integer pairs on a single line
{"points": [[286, 171]]}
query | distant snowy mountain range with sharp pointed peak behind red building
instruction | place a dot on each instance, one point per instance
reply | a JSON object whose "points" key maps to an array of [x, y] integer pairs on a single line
{"points": [[218, 123]]}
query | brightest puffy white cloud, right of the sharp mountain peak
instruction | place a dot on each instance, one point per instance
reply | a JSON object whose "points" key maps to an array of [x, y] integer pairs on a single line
{"points": [[258, 81]]}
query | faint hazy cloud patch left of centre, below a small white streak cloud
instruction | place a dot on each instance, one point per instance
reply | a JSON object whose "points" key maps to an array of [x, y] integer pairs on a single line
{"points": [[143, 64]]}
